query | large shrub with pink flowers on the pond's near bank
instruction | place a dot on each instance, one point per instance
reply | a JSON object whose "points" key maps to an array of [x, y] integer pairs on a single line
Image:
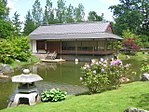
{"points": [[103, 75]]}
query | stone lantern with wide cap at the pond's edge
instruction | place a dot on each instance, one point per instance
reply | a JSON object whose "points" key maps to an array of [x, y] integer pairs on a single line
{"points": [[27, 92]]}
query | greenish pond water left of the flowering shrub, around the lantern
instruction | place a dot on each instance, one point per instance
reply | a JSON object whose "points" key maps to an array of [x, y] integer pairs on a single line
{"points": [[55, 75]]}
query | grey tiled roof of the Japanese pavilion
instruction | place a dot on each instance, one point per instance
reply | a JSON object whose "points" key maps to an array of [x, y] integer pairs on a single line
{"points": [[73, 31]]}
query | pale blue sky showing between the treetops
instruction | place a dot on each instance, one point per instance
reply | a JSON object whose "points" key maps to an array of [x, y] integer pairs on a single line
{"points": [[100, 6]]}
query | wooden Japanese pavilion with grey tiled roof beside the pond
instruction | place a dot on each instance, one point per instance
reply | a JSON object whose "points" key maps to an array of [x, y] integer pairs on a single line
{"points": [[93, 38]]}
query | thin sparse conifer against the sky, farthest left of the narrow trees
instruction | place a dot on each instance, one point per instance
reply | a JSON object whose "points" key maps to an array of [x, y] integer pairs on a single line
{"points": [[17, 23]]}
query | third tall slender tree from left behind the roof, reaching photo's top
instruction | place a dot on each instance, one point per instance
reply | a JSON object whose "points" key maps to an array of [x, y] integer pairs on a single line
{"points": [[61, 11]]}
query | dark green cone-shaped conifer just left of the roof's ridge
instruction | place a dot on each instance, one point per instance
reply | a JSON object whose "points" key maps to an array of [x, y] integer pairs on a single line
{"points": [[29, 25]]}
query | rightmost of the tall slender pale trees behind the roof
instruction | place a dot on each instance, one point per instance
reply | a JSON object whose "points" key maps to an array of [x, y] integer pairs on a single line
{"points": [[79, 13]]}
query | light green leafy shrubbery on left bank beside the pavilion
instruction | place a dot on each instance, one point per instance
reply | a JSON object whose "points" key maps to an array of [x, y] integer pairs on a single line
{"points": [[14, 48]]}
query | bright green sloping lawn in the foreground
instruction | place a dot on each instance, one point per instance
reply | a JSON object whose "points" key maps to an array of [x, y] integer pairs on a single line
{"points": [[134, 94]]}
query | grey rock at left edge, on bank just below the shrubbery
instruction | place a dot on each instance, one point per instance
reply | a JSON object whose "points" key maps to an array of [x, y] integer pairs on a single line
{"points": [[6, 69]]}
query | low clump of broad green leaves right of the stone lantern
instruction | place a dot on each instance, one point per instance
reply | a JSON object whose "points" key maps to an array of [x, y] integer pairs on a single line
{"points": [[53, 95]]}
